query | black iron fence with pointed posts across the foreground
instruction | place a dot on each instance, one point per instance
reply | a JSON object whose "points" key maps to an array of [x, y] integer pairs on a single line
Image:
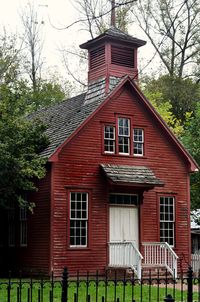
{"points": [[113, 286]]}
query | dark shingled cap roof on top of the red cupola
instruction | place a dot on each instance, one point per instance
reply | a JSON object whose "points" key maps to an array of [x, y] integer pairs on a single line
{"points": [[114, 34]]}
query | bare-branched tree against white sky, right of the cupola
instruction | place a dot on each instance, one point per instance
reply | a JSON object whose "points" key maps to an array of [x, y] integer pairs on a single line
{"points": [[173, 29]]}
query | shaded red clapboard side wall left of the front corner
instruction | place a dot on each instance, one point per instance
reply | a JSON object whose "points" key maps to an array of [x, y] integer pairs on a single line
{"points": [[36, 256]]}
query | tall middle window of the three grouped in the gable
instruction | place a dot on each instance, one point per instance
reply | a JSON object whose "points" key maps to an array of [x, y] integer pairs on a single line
{"points": [[124, 135]]}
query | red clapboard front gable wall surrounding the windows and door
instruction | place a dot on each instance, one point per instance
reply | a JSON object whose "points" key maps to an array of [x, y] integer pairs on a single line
{"points": [[78, 167]]}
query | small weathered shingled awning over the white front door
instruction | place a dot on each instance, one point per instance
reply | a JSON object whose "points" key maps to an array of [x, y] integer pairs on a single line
{"points": [[134, 175]]}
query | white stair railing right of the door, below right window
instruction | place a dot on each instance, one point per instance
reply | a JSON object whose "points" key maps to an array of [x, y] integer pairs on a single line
{"points": [[160, 254]]}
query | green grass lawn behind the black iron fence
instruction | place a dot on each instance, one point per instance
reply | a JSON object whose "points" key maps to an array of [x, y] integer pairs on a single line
{"points": [[141, 293]]}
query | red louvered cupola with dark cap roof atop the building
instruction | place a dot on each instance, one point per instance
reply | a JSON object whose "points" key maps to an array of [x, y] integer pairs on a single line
{"points": [[112, 54]]}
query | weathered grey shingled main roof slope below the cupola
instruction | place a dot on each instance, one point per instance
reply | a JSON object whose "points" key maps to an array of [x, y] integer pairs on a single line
{"points": [[64, 118]]}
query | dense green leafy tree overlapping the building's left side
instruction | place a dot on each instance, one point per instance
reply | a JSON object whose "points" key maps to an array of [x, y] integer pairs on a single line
{"points": [[21, 141]]}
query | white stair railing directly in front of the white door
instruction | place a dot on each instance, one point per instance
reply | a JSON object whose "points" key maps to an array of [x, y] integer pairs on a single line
{"points": [[125, 254]]}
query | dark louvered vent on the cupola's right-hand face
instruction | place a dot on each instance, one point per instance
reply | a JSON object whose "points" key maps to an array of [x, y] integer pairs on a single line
{"points": [[122, 56]]}
